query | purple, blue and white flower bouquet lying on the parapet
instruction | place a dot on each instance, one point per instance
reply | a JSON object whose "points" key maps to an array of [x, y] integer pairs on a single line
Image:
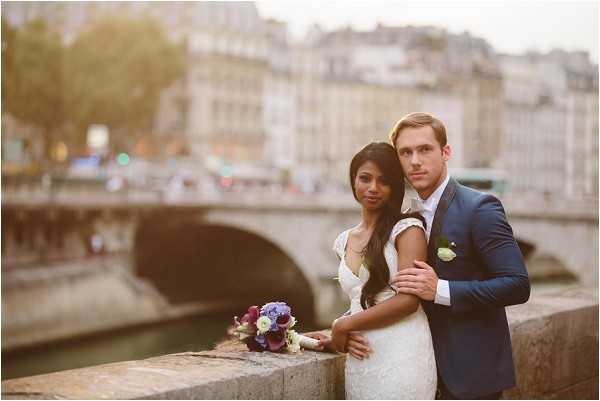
{"points": [[269, 328]]}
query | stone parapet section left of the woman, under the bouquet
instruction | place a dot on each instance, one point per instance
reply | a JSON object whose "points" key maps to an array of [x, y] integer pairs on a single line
{"points": [[230, 372]]}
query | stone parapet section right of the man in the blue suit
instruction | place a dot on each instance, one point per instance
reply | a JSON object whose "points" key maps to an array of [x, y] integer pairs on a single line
{"points": [[555, 345]]}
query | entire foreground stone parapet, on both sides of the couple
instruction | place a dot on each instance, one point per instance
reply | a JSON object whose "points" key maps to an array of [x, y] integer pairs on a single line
{"points": [[555, 346]]}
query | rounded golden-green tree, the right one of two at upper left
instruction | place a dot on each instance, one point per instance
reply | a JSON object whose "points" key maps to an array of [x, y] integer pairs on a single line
{"points": [[116, 71]]}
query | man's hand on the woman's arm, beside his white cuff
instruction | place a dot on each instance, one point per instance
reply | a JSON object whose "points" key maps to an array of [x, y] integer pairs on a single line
{"points": [[419, 280]]}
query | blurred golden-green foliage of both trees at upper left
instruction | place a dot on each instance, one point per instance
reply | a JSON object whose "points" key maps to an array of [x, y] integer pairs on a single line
{"points": [[112, 74]]}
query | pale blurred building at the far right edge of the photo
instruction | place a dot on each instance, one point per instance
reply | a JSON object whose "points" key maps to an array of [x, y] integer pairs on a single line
{"points": [[550, 121]]}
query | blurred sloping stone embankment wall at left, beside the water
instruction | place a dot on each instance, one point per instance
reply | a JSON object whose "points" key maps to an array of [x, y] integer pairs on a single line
{"points": [[42, 305]]}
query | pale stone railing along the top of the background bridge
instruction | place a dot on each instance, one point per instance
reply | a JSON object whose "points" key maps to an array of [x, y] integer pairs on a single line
{"points": [[97, 197]]}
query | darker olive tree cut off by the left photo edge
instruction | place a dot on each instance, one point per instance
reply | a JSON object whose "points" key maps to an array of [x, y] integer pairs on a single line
{"points": [[32, 77]]}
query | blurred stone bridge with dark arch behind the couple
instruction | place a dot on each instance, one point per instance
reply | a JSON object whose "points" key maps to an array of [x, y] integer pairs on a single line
{"points": [[273, 245]]}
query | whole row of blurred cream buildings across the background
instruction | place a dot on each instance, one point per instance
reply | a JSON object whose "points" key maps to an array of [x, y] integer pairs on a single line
{"points": [[250, 95]]}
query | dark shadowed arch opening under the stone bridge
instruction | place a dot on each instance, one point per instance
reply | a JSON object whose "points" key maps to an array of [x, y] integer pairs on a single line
{"points": [[192, 260]]}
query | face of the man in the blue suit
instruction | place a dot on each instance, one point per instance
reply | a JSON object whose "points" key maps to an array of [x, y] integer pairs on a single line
{"points": [[423, 158]]}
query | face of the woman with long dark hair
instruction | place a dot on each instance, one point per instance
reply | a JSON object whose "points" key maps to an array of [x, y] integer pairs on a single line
{"points": [[373, 189]]}
